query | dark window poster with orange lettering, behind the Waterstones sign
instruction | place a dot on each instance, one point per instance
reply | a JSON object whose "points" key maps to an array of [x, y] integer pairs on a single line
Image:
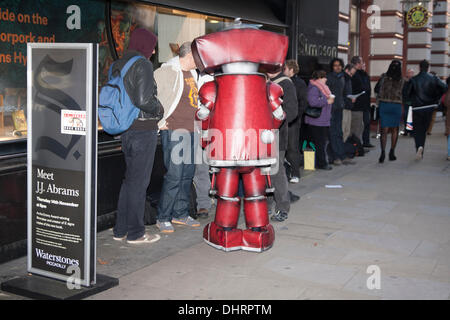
{"points": [[42, 21]]}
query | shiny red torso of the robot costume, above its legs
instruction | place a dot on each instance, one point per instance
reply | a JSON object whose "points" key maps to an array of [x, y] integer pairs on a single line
{"points": [[240, 114]]}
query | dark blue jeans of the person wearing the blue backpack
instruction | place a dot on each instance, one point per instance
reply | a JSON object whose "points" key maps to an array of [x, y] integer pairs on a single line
{"points": [[139, 149]]}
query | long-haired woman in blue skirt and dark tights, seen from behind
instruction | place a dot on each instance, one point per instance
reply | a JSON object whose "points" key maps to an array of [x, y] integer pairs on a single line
{"points": [[389, 96]]}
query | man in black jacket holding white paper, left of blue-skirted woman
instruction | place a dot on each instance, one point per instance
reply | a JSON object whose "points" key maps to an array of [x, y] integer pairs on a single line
{"points": [[361, 107]]}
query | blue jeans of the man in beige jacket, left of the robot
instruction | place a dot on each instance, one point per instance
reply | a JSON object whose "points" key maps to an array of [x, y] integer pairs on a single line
{"points": [[176, 190]]}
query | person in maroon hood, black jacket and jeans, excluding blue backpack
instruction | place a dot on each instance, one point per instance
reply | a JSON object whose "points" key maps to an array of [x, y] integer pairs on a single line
{"points": [[139, 141]]}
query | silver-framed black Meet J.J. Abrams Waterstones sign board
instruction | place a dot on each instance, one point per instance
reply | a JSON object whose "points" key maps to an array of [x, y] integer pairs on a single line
{"points": [[62, 160]]}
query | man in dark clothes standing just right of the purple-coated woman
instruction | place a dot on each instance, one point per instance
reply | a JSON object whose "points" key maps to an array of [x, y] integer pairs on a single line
{"points": [[336, 83]]}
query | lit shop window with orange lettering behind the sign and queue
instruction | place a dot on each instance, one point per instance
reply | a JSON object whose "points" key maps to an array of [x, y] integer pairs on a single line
{"points": [[47, 21]]}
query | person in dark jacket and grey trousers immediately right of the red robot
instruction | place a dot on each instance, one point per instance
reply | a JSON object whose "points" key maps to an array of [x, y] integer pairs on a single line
{"points": [[279, 180]]}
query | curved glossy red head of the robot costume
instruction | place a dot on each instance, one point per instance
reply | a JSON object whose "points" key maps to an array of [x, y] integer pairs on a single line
{"points": [[240, 45]]}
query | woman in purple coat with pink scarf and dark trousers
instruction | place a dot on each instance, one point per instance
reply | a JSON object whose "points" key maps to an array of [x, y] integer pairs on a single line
{"points": [[319, 96]]}
